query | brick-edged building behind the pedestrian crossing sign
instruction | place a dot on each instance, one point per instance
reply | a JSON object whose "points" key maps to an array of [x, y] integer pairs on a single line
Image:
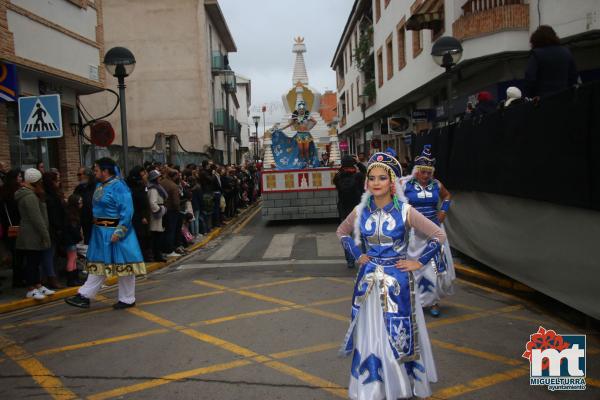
{"points": [[57, 48]]}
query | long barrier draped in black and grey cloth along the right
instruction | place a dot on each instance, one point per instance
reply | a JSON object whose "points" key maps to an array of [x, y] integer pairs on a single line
{"points": [[526, 192]]}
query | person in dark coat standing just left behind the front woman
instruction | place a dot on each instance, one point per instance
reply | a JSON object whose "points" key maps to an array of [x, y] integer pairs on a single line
{"points": [[350, 184]]}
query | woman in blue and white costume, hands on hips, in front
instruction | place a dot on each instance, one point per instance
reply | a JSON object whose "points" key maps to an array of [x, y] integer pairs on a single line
{"points": [[388, 339]]}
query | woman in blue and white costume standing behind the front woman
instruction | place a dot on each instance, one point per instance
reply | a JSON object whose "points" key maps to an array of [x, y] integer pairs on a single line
{"points": [[424, 193]]}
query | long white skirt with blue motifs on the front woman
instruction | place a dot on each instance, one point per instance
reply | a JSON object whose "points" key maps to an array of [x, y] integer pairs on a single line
{"points": [[378, 375]]}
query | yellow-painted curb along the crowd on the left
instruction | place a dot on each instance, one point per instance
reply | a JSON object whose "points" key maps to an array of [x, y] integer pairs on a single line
{"points": [[150, 267]]}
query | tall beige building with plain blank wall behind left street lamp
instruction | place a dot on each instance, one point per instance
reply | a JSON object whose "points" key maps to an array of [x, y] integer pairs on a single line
{"points": [[176, 99]]}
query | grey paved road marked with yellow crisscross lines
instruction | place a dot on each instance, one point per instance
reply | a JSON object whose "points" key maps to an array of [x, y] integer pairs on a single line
{"points": [[258, 314]]}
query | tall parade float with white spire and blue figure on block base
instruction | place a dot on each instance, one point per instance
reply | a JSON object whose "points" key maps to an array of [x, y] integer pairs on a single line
{"points": [[294, 184]]}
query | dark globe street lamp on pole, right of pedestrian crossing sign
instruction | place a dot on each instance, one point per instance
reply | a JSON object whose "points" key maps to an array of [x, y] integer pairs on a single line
{"points": [[120, 62]]}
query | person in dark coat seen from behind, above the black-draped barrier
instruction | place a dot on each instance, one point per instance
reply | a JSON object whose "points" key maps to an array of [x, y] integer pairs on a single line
{"points": [[551, 67]]}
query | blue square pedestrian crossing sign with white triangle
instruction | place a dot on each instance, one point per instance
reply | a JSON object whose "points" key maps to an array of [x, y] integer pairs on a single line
{"points": [[40, 117]]}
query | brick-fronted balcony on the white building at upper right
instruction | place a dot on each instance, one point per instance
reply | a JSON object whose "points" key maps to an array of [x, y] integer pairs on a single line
{"points": [[484, 17]]}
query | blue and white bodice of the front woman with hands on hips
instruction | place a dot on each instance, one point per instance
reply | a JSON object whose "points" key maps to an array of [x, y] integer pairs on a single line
{"points": [[383, 230]]}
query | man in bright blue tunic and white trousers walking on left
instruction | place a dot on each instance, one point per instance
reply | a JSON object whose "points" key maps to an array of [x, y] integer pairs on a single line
{"points": [[113, 249]]}
